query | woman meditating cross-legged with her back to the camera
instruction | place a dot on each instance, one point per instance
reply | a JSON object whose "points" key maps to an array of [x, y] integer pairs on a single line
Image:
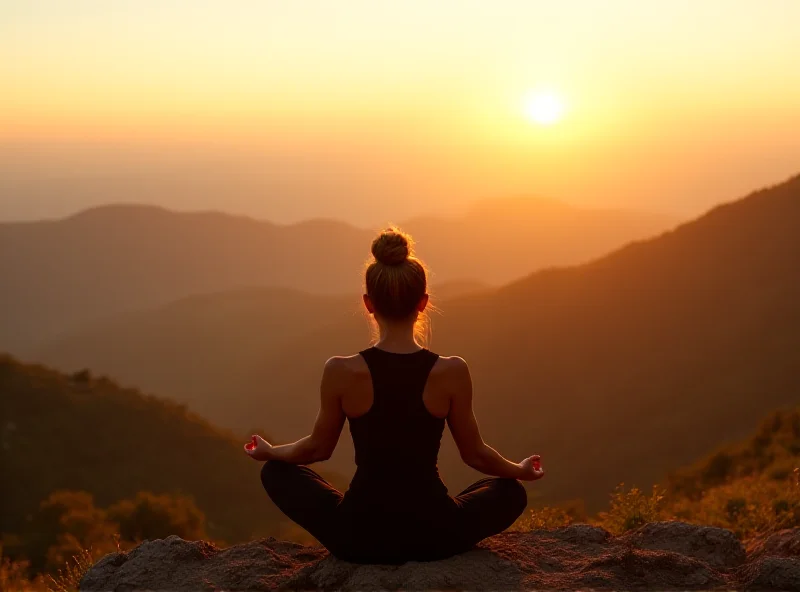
{"points": [[397, 396]]}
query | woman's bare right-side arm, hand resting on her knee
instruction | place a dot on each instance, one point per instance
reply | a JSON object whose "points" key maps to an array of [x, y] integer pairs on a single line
{"points": [[464, 427]]}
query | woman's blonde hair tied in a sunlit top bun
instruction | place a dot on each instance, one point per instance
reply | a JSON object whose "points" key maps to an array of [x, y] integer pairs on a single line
{"points": [[396, 280]]}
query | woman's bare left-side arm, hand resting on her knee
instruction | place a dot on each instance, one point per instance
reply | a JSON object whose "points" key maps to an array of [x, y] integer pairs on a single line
{"points": [[319, 445]]}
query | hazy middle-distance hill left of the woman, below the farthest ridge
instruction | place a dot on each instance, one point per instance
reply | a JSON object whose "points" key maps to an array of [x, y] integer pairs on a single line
{"points": [[198, 348]]}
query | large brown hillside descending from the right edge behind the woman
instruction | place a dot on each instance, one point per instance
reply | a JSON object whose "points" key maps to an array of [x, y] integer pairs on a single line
{"points": [[618, 370]]}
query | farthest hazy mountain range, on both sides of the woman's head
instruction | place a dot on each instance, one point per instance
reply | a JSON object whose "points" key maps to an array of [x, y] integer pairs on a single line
{"points": [[61, 275]]}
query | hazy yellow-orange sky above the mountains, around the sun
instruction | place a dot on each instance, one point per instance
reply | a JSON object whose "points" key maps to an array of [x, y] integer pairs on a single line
{"points": [[371, 110]]}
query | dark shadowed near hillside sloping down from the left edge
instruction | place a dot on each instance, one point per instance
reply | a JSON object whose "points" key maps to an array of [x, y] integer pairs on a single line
{"points": [[61, 432]]}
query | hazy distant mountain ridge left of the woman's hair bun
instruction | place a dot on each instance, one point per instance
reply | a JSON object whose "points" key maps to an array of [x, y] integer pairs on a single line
{"points": [[62, 275]]}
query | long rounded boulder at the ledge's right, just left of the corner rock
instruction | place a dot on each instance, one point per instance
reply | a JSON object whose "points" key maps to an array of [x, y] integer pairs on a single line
{"points": [[716, 546]]}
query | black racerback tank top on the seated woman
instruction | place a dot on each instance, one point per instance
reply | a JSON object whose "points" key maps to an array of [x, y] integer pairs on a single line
{"points": [[397, 441]]}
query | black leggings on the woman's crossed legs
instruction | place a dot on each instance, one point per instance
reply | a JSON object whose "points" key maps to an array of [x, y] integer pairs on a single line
{"points": [[410, 530]]}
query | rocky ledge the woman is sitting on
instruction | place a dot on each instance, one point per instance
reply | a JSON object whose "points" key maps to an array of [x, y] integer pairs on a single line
{"points": [[658, 556]]}
